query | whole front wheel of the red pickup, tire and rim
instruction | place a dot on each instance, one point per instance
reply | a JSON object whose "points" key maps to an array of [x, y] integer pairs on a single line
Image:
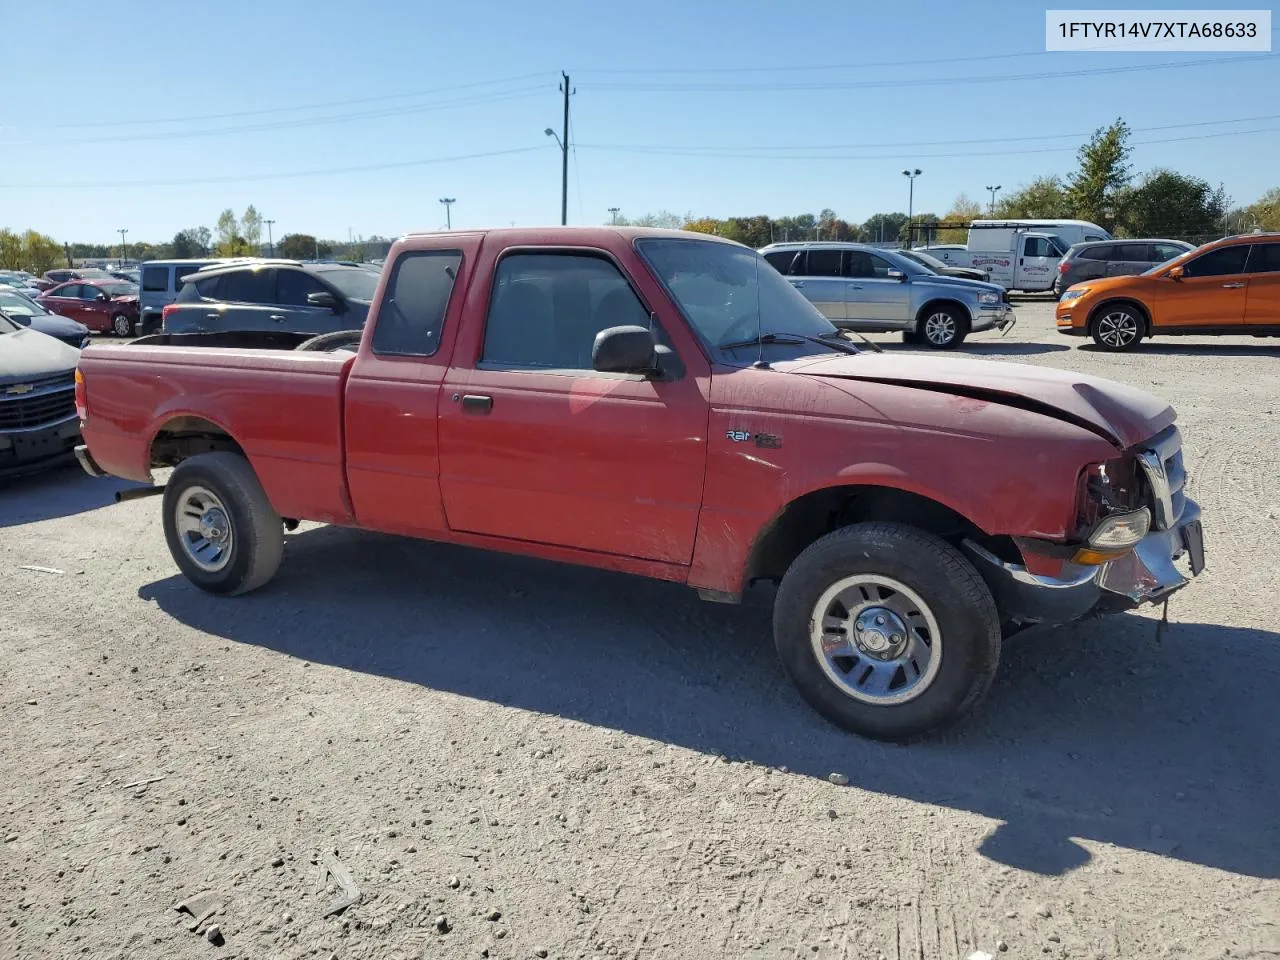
{"points": [[888, 632]]}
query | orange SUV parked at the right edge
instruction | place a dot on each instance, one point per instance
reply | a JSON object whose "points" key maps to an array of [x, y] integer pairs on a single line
{"points": [[1227, 287]]}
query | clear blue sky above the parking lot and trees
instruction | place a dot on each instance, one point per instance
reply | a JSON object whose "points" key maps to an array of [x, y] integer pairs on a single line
{"points": [[161, 93]]}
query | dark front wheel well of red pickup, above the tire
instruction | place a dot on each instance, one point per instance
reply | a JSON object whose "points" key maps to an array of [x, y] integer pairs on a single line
{"points": [[810, 518]]}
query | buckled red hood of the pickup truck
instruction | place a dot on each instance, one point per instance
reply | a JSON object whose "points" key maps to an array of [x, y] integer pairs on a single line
{"points": [[1121, 414]]}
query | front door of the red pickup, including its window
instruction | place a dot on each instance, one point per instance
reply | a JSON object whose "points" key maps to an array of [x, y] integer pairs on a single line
{"points": [[537, 446]]}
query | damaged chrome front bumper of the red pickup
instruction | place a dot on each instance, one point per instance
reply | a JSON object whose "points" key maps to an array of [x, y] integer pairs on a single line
{"points": [[1149, 574]]}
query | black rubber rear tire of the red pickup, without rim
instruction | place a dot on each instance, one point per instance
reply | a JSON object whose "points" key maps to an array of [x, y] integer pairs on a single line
{"points": [[258, 532]]}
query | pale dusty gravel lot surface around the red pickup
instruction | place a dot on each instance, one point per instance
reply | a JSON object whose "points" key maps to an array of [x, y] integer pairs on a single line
{"points": [[566, 761]]}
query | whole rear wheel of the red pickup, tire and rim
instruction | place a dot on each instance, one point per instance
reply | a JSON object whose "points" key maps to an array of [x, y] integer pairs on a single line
{"points": [[222, 531]]}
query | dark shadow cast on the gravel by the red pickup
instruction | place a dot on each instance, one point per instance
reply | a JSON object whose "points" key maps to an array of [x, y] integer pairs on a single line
{"points": [[1094, 733]]}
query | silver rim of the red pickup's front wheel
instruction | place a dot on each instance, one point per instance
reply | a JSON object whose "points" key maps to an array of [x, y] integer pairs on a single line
{"points": [[876, 639]]}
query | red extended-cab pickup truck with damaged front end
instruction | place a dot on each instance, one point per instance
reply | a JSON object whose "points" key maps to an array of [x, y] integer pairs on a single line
{"points": [[668, 405]]}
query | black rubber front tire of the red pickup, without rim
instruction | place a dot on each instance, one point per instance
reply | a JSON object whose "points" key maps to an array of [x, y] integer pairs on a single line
{"points": [[957, 596]]}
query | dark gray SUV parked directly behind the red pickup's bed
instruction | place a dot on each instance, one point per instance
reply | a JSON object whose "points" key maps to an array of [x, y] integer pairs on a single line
{"points": [[285, 296]]}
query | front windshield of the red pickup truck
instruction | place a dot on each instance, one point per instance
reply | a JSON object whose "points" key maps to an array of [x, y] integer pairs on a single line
{"points": [[730, 294]]}
